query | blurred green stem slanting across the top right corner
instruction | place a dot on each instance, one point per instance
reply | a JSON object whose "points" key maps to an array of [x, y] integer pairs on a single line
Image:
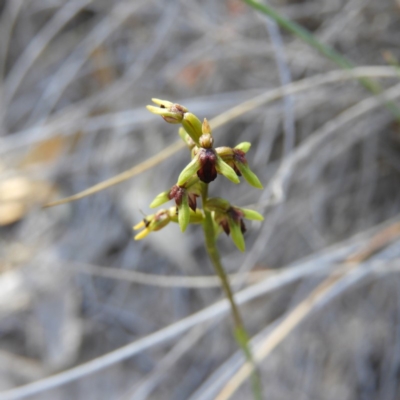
{"points": [[327, 51]]}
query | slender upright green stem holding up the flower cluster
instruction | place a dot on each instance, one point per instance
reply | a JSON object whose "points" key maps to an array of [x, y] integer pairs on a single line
{"points": [[240, 333]]}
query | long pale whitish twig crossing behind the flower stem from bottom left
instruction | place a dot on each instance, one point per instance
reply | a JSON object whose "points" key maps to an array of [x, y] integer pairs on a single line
{"points": [[322, 261]]}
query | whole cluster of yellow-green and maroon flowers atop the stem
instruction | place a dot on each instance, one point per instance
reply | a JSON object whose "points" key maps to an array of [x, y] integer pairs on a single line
{"points": [[206, 164]]}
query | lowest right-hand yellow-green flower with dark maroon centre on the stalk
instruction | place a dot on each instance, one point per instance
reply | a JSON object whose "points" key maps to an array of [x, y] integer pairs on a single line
{"points": [[230, 219]]}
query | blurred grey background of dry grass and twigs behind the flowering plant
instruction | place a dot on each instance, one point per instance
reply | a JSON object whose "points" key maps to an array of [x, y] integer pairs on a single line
{"points": [[74, 286]]}
